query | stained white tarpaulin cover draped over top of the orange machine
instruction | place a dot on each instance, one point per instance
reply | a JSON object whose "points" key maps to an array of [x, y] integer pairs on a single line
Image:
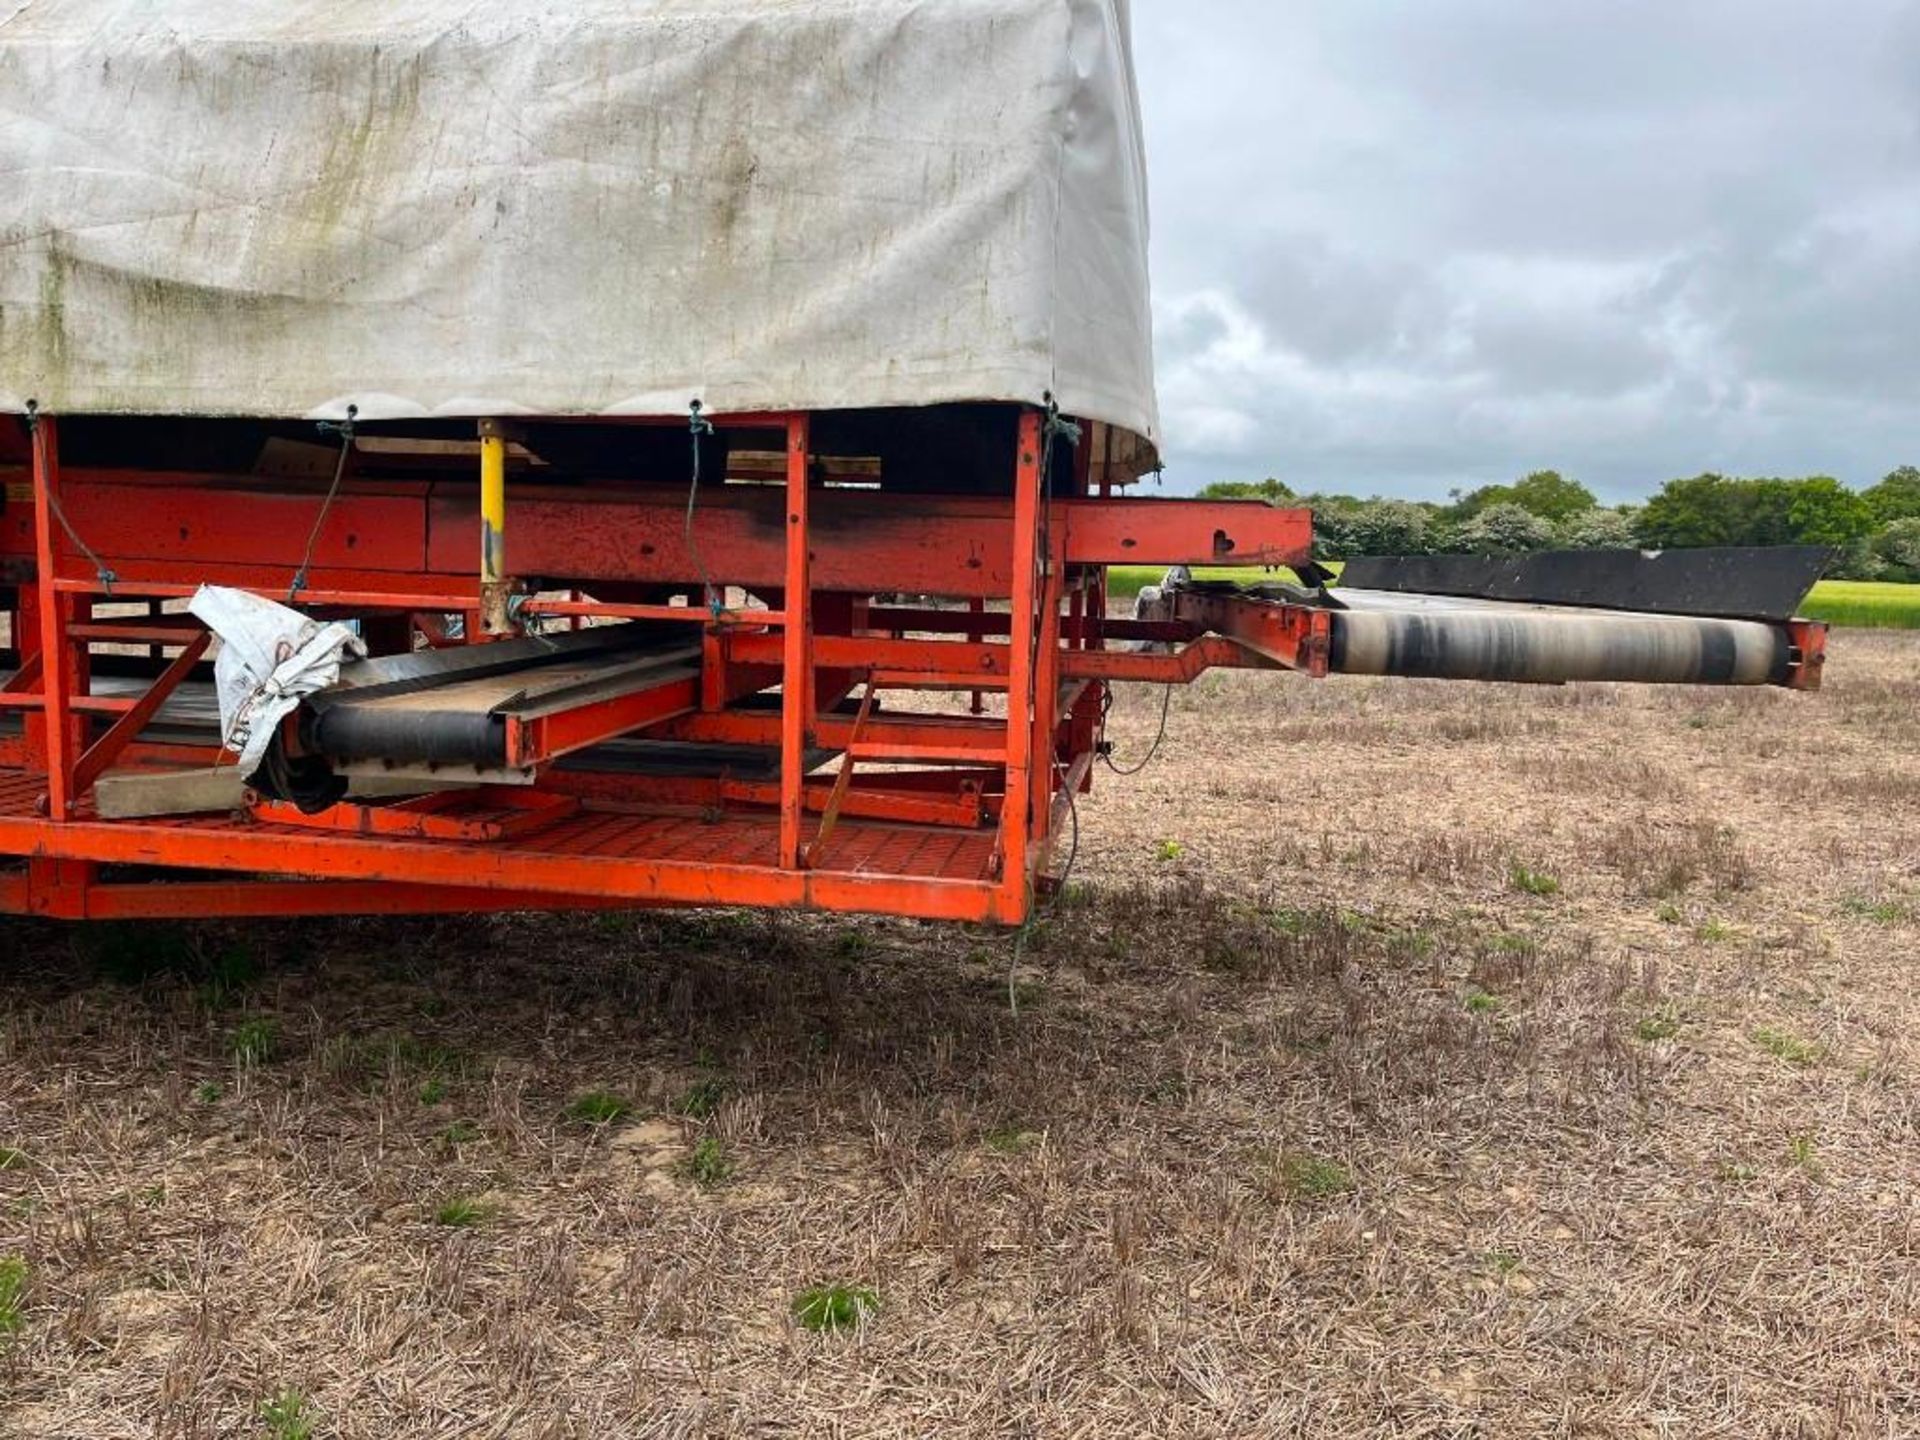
{"points": [[585, 206]]}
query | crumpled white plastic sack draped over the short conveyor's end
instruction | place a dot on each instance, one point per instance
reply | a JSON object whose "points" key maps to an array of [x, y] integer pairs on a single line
{"points": [[270, 660]]}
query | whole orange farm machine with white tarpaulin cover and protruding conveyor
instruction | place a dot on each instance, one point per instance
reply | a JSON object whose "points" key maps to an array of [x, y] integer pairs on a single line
{"points": [[481, 456]]}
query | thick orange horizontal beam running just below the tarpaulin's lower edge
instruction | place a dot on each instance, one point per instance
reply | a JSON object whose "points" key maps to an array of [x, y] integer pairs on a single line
{"points": [[164, 531]]}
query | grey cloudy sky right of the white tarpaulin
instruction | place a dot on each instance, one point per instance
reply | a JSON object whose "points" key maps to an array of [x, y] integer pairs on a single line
{"points": [[1414, 245]]}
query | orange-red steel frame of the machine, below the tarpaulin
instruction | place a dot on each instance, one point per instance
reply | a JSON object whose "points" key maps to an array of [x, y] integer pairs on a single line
{"points": [[940, 815]]}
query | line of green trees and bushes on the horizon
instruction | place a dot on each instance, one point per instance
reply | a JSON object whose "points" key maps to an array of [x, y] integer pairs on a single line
{"points": [[1875, 533]]}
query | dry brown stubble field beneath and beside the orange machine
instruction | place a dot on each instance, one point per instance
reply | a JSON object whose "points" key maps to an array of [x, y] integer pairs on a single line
{"points": [[1316, 1126]]}
